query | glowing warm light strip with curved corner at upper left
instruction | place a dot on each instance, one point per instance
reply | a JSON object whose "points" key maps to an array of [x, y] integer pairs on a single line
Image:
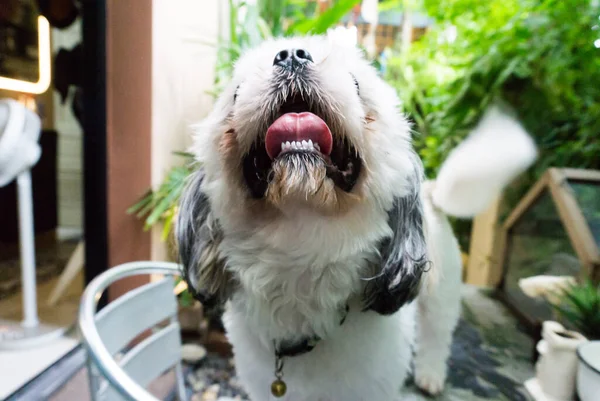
{"points": [[45, 63]]}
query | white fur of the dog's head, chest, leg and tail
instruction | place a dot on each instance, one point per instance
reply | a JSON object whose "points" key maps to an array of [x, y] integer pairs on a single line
{"points": [[296, 271]]}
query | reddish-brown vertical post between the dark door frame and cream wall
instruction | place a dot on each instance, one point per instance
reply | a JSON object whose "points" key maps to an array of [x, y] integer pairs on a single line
{"points": [[128, 131]]}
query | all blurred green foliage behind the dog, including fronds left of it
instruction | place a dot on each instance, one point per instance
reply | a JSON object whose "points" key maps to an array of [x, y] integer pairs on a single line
{"points": [[539, 57]]}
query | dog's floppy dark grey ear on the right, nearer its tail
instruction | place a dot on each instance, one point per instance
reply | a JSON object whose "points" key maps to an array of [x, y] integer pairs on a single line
{"points": [[403, 255]]}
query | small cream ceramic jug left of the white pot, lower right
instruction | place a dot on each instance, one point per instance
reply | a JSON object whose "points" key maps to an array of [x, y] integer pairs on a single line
{"points": [[556, 369]]}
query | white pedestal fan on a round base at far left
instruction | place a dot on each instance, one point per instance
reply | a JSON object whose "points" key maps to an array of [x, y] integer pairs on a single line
{"points": [[19, 151]]}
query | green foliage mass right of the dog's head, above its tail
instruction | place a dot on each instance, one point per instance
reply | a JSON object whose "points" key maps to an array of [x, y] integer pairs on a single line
{"points": [[538, 57]]}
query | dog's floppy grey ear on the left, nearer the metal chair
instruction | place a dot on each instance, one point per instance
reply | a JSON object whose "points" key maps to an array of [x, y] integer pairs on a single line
{"points": [[198, 236]]}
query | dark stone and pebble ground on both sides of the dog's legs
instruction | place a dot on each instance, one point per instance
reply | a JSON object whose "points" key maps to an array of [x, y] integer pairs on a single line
{"points": [[491, 359]]}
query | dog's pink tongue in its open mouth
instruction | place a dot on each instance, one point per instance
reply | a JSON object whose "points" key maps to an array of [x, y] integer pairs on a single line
{"points": [[298, 127]]}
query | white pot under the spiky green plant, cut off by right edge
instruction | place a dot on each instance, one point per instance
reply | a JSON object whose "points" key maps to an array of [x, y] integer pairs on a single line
{"points": [[588, 372]]}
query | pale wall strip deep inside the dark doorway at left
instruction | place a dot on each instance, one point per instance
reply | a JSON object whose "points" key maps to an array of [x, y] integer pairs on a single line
{"points": [[70, 161]]}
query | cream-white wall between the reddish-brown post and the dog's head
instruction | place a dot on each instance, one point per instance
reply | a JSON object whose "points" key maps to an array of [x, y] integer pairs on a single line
{"points": [[183, 63]]}
